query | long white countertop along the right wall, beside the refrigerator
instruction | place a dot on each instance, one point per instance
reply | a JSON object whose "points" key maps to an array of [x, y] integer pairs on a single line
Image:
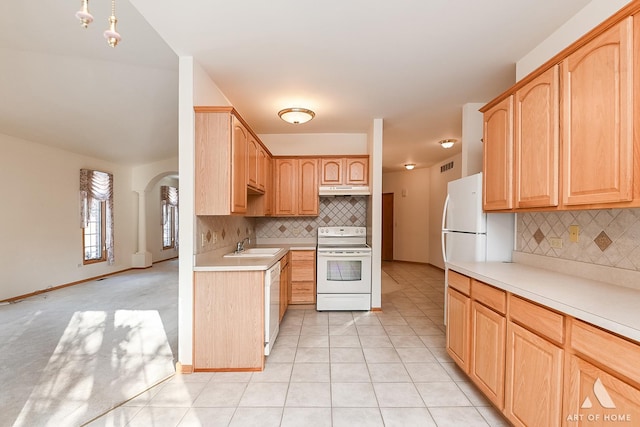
{"points": [[612, 307]]}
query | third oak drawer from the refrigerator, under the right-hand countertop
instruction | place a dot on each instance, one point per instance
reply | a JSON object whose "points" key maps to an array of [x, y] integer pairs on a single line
{"points": [[536, 318]]}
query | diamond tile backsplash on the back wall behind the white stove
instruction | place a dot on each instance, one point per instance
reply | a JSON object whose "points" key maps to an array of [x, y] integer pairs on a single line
{"points": [[334, 211]]}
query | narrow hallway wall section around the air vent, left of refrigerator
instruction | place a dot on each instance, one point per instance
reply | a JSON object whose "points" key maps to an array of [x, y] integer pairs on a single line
{"points": [[438, 185]]}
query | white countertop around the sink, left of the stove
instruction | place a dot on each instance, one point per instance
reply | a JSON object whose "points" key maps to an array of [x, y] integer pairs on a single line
{"points": [[215, 261]]}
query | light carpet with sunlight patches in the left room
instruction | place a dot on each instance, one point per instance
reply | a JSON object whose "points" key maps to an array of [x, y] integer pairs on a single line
{"points": [[69, 355]]}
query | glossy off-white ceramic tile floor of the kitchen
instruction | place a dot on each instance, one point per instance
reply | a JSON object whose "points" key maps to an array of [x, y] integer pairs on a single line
{"points": [[386, 368]]}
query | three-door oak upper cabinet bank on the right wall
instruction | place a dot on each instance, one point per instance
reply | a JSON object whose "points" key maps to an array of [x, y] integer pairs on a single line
{"points": [[575, 140]]}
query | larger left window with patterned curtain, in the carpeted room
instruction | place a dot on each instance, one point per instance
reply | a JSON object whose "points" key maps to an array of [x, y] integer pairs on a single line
{"points": [[96, 206]]}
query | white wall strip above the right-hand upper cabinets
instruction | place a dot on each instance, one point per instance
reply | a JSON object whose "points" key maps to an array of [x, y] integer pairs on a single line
{"points": [[581, 23]]}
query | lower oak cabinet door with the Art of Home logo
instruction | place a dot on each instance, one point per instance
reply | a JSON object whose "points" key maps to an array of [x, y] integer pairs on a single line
{"points": [[596, 398]]}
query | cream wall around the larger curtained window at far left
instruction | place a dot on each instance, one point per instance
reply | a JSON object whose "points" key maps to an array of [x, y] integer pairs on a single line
{"points": [[40, 228]]}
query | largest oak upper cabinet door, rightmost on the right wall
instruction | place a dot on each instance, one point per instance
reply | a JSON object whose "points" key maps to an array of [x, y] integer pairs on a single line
{"points": [[597, 104]]}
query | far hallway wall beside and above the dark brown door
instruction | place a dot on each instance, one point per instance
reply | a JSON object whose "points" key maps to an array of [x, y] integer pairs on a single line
{"points": [[411, 194]]}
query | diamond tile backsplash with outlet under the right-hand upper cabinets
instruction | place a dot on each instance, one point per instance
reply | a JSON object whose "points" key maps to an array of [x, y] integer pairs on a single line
{"points": [[609, 237]]}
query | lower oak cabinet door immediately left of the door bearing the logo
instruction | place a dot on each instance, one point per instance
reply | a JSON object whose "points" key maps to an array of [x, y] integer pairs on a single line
{"points": [[533, 395]]}
